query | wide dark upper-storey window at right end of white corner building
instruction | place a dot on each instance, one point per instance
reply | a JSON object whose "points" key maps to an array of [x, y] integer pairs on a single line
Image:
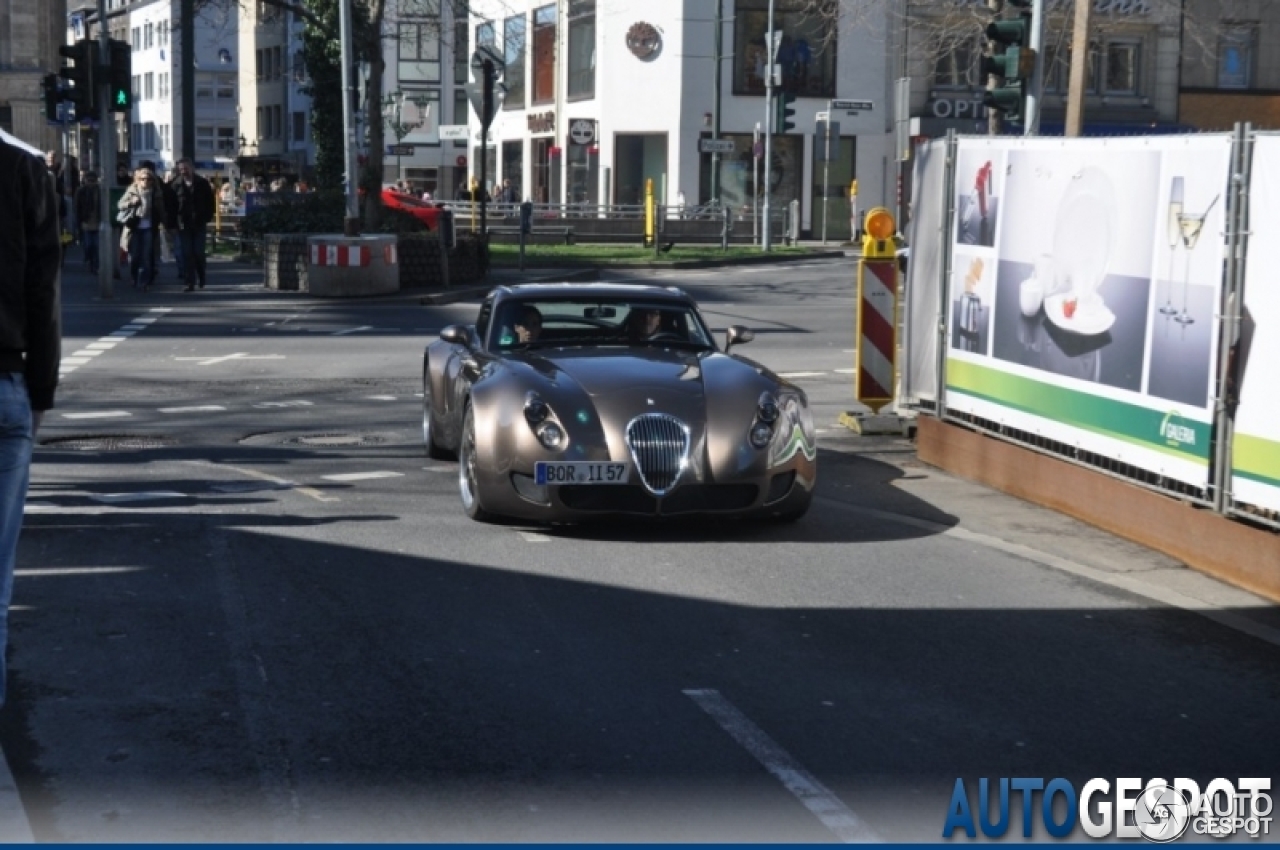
{"points": [[807, 52]]}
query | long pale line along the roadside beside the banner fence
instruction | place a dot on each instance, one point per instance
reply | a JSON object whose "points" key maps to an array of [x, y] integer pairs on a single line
{"points": [[1133, 584]]}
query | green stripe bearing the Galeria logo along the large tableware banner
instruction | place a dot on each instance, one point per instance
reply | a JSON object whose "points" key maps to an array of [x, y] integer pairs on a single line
{"points": [[1162, 432]]}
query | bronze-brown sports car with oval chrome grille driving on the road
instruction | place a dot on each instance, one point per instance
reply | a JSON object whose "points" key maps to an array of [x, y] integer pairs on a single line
{"points": [[570, 401]]}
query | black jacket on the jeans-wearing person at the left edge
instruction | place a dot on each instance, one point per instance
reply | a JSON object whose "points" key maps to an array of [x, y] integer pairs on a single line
{"points": [[31, 257]]}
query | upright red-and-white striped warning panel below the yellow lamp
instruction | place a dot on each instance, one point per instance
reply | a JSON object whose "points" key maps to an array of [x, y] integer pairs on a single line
{"points": [[877, 305]]}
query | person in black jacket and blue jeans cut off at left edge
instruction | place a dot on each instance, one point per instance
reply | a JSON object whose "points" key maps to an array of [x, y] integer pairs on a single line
{"points": [[30, 342]]}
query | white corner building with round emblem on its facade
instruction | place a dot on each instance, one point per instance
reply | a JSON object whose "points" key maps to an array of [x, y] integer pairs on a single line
{"points": [[605, 95]]}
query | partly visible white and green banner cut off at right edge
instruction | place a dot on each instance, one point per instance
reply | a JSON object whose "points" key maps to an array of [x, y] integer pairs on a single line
{"points": [[1256, 446]]}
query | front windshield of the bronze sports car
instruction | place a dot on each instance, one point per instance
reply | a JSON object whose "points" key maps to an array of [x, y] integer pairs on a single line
{"points": [[531, 323]]}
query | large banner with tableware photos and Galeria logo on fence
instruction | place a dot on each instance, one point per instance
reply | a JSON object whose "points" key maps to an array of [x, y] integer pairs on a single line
{"points": [[1086, 280]]}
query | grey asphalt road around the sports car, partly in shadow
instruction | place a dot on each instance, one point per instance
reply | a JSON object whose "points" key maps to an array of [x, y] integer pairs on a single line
{"points": [[249, 609]]}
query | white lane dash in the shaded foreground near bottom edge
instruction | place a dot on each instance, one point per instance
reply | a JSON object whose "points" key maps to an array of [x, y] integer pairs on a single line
{"points": [[813, 794]]}
